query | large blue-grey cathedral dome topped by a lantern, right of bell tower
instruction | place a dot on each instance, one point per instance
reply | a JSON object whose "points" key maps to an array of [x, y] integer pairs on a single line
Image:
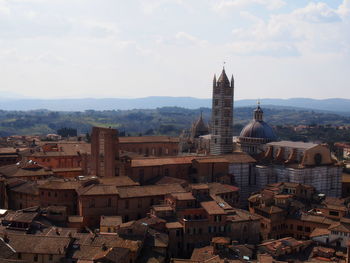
{"points": [[257, 128]]}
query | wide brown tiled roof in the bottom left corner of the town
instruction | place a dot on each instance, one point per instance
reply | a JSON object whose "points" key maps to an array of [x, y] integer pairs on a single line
{"points": [[35, 244]]}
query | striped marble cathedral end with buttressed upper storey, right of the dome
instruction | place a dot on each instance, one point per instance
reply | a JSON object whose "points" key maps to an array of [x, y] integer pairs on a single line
{"points": [[299, 162]]}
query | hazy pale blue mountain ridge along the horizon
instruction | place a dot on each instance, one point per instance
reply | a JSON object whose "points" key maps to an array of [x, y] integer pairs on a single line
{"points": [[331, 105]]}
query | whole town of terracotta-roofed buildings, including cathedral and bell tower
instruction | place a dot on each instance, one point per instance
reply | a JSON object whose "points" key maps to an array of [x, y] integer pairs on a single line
{"points": [[201, 196]]}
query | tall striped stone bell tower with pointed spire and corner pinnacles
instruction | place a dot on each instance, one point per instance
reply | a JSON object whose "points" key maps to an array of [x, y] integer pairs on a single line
{"points": [[222, 115]]}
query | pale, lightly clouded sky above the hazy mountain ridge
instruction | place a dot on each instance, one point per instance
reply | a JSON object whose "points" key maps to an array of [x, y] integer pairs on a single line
{"points": [[140, 48]]}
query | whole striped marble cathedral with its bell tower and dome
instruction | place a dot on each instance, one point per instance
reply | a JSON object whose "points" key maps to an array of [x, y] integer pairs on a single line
{"points": [[275, 161]]}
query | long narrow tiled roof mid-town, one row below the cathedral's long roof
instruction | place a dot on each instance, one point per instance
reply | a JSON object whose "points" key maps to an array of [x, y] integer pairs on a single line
{"points": [[148, 190]]}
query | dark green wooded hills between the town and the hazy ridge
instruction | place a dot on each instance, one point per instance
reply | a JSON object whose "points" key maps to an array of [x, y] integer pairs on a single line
{"points": [[160, 121]]}
